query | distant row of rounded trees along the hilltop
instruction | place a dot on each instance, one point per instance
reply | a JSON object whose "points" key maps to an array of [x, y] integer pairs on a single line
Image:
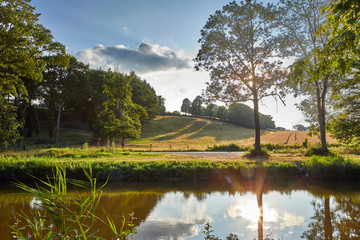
{"points": [[236, 113]]}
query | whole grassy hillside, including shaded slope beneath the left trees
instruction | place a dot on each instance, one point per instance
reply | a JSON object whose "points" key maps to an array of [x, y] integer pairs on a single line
{"points": [[180, 133]]}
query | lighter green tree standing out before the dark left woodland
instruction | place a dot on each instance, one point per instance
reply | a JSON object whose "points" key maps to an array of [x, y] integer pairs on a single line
{"points": [[120, 117]]}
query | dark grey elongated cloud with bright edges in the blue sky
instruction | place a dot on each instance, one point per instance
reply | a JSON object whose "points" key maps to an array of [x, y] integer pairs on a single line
{"points": [[144, 58]]}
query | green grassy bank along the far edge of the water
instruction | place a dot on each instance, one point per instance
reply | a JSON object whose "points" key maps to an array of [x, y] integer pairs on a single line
{"points": [[141, 166]]}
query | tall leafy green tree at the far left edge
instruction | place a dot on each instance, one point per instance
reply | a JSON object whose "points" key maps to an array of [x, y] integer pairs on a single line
{"points": [[23, 45]]}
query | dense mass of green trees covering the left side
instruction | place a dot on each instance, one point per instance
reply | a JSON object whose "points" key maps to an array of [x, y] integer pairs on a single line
{"points": [[36, 71]]}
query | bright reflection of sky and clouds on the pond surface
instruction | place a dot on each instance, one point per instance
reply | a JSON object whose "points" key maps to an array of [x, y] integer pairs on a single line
{"points": [[184, 217]]}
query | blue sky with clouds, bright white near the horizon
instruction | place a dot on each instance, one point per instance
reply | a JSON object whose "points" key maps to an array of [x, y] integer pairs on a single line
{"points": [[158, 39]]}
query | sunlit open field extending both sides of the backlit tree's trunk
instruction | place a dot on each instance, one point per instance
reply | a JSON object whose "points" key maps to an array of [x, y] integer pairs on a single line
{"points": [[187, 133]]}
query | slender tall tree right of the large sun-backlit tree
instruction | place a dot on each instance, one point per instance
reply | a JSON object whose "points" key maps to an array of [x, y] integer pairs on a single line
{"points": [[303, 26]]}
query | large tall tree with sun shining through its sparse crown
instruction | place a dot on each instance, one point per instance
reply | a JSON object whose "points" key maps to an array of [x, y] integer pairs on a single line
{"points": [[237, 48]]}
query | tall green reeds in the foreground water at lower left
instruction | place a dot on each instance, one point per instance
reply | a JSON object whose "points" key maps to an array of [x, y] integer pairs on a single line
{"points": [[60, 215]]}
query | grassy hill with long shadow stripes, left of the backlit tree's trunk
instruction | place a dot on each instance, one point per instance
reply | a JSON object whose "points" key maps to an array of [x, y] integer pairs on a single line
{"points": [[183, 133]]}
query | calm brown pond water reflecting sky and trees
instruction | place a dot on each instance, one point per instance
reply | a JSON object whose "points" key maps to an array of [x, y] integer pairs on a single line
{"points": [[176, 210]]}
